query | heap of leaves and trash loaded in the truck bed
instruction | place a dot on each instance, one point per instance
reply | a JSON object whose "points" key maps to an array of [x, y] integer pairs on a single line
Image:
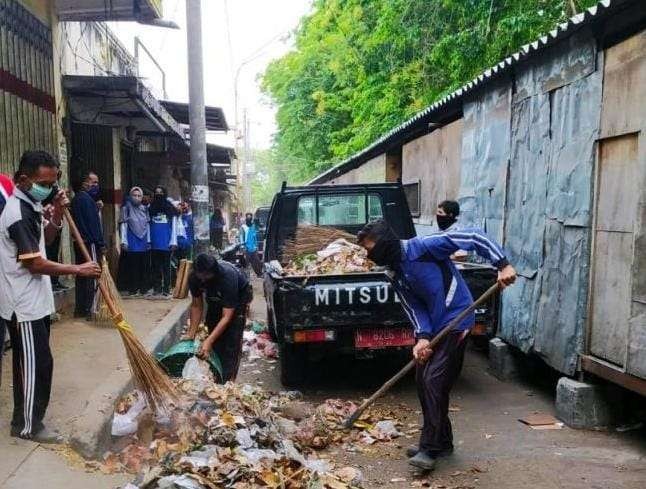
{"points": [[338, 257]]}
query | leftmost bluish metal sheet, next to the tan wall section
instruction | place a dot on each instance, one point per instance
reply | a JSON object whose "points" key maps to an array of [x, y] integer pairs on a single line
{"points": [[485, 156]]}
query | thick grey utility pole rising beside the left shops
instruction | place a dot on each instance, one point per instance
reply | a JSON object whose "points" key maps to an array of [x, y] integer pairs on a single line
{"points": [[197, 120]]}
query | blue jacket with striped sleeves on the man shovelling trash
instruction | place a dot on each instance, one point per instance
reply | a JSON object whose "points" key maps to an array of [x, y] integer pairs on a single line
{"points": [[431, 289]]}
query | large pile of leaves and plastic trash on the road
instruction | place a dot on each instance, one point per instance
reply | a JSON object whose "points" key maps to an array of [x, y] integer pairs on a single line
{"points": [[237, 436]]}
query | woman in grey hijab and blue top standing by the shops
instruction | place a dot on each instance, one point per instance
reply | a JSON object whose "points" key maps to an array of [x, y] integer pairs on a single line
{"points": [[135, 242]]}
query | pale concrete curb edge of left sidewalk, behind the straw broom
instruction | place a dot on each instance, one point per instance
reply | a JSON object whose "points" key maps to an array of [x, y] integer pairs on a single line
{"points": [[91, 431]]}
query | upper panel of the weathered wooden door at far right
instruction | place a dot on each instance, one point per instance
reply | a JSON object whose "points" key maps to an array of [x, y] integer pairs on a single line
{"points": [[618, 193]]}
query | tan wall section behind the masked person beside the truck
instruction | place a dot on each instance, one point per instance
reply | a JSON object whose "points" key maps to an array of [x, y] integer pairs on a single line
{"points": [[434, 161]]}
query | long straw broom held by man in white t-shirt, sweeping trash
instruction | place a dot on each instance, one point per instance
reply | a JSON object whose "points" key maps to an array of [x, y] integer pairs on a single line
{"points": [[149, 377]]}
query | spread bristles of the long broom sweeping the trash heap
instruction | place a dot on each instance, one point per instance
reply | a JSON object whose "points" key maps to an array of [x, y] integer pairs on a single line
{"points": [[148, 375]]}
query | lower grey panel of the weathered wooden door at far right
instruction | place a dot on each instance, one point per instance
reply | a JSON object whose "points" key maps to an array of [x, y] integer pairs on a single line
{"points": [[611, 285]]}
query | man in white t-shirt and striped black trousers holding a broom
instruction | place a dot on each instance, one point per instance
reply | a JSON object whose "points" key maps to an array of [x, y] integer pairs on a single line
{"points": [[26, 297]]}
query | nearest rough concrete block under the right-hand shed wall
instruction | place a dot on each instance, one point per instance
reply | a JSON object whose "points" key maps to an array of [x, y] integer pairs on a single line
{"points": [[584, 405]]}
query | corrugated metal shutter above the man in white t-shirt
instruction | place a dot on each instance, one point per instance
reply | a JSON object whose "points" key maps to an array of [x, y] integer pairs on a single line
{"points": [[27, 104]]}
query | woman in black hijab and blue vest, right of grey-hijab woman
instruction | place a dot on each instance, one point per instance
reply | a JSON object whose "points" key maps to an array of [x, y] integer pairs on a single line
{"points": [[163, 240]]}
